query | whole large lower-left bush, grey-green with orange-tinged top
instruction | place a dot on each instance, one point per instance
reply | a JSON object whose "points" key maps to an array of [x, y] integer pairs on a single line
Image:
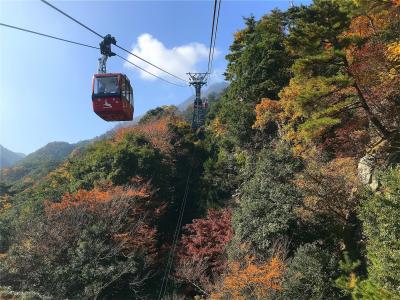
{"points": [[106, 233]]}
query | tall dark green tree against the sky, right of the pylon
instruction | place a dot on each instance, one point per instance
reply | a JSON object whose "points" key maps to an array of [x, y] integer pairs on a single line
{"points": [[258, 66]]}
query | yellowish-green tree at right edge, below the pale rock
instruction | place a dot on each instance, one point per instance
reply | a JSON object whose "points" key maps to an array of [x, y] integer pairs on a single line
{"points": [[380, 214]]}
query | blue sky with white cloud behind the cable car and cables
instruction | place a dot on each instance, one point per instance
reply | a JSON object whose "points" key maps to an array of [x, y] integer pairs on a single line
{"points": [[45, 84]]}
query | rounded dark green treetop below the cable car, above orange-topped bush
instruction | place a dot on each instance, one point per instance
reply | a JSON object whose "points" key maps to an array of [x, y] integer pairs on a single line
{"points": [[118, 161]]}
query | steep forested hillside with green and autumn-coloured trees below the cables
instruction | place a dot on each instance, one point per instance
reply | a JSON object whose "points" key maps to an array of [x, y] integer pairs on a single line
{"points": [[290, 191]]}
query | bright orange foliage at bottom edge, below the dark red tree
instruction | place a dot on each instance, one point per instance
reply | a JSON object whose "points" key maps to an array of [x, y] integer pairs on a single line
{"points": [[251, 280]]}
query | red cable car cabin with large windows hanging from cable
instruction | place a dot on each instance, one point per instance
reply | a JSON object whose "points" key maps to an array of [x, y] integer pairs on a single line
{"points": [[112, 97]]}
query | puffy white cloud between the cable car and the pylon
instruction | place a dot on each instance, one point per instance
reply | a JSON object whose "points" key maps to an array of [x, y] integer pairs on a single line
{"points": [[177, 60]]}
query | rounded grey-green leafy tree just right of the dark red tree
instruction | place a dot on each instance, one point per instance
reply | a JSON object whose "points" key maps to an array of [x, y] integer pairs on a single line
{"points": [[267, 200]]}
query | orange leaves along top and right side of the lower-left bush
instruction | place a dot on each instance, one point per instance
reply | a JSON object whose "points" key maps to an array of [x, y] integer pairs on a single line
{"points": [[104, 198]]}
